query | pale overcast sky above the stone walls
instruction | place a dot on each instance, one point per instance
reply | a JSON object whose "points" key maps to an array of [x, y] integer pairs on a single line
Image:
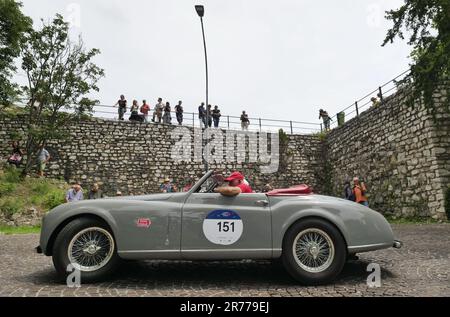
{"points": [[276, 59]]}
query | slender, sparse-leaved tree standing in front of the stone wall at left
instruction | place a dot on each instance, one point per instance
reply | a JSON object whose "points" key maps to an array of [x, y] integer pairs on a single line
{"points": [[60, 75]]}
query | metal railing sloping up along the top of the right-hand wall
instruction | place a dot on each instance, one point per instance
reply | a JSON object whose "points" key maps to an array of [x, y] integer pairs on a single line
{"points": [[364, 103]]}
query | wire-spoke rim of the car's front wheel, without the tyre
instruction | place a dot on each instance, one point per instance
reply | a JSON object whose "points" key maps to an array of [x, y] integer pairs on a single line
{"points": [[91, 249]]}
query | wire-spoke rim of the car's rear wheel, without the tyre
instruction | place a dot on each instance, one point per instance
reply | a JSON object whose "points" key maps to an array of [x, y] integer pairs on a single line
{"points": [[313, 250]]}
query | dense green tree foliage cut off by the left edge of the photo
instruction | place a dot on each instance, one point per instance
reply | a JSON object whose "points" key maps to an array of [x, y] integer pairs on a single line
{"points": [[13, 24]]}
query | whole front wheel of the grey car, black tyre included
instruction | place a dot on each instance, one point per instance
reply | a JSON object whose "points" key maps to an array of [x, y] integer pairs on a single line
{"points": [[88, 245]]}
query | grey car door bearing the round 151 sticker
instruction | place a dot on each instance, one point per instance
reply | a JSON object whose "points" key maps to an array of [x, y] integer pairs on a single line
{"points": [[219, 227]]}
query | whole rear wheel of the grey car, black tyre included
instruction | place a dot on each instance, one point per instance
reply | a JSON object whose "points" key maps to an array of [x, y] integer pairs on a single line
{"points": [[314, 251]]}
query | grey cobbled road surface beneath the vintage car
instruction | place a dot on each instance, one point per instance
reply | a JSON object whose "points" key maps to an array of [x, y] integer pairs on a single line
{"points": [[421, 268]]}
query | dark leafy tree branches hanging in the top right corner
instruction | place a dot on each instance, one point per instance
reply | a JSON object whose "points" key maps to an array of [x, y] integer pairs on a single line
{"points": [[427, 23]]}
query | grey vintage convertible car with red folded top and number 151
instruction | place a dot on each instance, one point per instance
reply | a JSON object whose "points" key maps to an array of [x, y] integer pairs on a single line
{"points": [[313, 235]]}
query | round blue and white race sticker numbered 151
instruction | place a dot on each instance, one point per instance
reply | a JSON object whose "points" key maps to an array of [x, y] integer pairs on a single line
{"points": [[223, 227]]}
